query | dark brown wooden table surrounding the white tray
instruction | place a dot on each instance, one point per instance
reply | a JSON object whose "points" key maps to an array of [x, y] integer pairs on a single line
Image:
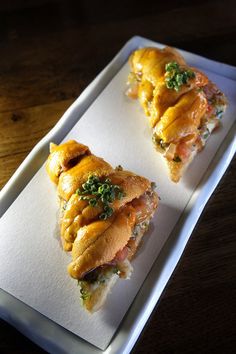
{"points": [[49, 52]]}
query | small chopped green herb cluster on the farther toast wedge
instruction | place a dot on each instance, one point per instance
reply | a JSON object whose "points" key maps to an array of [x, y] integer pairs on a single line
{"points": [[175, 77]]}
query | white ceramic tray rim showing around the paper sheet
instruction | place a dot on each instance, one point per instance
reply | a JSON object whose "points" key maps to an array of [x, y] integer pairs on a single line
{"points": [[50, 335]]}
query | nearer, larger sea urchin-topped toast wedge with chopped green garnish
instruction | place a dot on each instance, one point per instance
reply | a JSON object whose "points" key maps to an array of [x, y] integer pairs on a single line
{"points": [[104, 213]]}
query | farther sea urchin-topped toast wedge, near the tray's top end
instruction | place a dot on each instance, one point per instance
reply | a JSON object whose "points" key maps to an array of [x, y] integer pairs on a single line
{"points": [[182, 105]]}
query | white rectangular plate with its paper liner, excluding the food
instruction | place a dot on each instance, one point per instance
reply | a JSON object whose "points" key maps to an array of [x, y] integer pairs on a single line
{"points": [[114, 128]]}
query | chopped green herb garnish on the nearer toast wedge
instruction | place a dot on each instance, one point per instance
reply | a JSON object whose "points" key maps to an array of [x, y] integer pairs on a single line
{"points": [[96, 191]]}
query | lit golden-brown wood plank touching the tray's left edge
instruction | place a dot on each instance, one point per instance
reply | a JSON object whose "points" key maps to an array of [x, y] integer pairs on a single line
{"points": [[20, 131]]}
